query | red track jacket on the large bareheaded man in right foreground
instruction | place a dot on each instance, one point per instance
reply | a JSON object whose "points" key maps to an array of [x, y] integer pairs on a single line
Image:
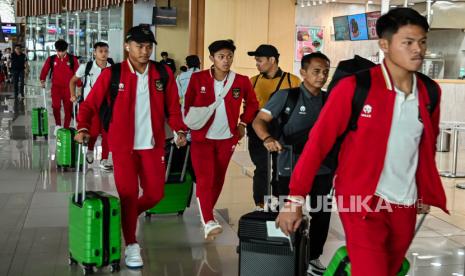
{"points": [[363, 151]]}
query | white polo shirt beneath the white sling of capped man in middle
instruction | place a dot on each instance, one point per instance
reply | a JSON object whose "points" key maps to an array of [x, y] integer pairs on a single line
{"points": [[219, 130]]}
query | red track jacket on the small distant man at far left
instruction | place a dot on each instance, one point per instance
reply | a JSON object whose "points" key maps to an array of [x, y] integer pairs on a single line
{"points": [[61, 71]]}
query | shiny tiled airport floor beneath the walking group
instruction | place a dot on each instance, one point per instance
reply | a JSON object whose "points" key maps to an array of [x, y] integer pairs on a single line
{"points": [[34, 217]]}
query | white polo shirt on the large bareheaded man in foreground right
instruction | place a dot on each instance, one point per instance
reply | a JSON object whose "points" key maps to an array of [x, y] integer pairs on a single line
{"points": [[397, 182]]}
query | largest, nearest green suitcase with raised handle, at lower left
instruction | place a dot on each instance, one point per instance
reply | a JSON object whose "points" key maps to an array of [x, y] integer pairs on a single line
{"points": [[94, 228]]}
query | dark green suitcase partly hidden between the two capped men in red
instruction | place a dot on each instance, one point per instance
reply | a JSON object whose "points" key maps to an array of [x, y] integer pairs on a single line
{"points": [[178, 186]]}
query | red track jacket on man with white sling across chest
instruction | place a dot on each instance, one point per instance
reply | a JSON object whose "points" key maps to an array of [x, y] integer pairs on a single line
{"points": [[201, 92]]}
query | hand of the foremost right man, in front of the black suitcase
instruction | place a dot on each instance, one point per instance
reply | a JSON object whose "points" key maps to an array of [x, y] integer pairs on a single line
{"points": [[290, 217]]}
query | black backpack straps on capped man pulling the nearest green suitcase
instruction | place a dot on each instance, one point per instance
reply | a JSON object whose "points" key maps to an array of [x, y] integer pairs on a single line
{"points": [[106, 109]]}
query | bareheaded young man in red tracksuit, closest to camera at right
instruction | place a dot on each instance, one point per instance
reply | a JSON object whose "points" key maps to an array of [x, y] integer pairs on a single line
{"points": [[387, 165]]}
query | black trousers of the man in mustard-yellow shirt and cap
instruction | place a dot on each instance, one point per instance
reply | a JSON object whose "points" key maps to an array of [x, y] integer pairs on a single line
{"points": [[259, 155]]}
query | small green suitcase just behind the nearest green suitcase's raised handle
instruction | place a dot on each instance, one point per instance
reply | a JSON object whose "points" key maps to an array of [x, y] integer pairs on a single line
{"points": [[67, 149]]}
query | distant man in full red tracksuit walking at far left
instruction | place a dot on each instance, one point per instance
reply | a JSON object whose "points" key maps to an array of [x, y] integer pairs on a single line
{"points": [[62, 74]]}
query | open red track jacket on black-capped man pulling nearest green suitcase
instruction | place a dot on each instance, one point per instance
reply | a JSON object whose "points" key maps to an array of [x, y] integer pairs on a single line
{"points": [[122, 130]]}
